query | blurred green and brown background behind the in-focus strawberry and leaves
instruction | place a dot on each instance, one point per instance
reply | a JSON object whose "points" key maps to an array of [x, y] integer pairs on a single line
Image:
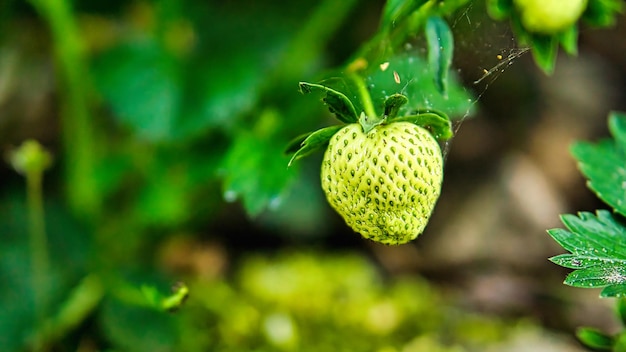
{"points": [[167, 121]]}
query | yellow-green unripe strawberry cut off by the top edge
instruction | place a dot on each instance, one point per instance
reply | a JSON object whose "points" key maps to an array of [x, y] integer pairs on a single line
{"points": [[549, 16]]}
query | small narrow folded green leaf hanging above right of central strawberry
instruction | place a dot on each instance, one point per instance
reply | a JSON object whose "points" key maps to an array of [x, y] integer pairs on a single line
{"points": [[440, 51]]}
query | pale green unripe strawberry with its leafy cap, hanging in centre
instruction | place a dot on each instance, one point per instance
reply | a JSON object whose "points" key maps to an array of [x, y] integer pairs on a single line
{"points": [[383, 175]]}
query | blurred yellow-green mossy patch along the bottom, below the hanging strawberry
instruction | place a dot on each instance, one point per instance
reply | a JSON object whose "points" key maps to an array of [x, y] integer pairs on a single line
{"points": [[307, 301]]}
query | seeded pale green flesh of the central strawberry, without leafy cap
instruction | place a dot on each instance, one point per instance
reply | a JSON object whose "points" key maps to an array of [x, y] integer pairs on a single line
{"points": [[384, 183]]}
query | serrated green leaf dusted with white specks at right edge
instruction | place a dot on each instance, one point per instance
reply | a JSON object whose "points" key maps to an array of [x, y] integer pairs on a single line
{"points": [[597, 244]]}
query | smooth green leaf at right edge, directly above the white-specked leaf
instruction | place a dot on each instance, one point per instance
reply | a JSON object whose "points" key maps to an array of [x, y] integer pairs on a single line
{"points": [[603, 164]]}
